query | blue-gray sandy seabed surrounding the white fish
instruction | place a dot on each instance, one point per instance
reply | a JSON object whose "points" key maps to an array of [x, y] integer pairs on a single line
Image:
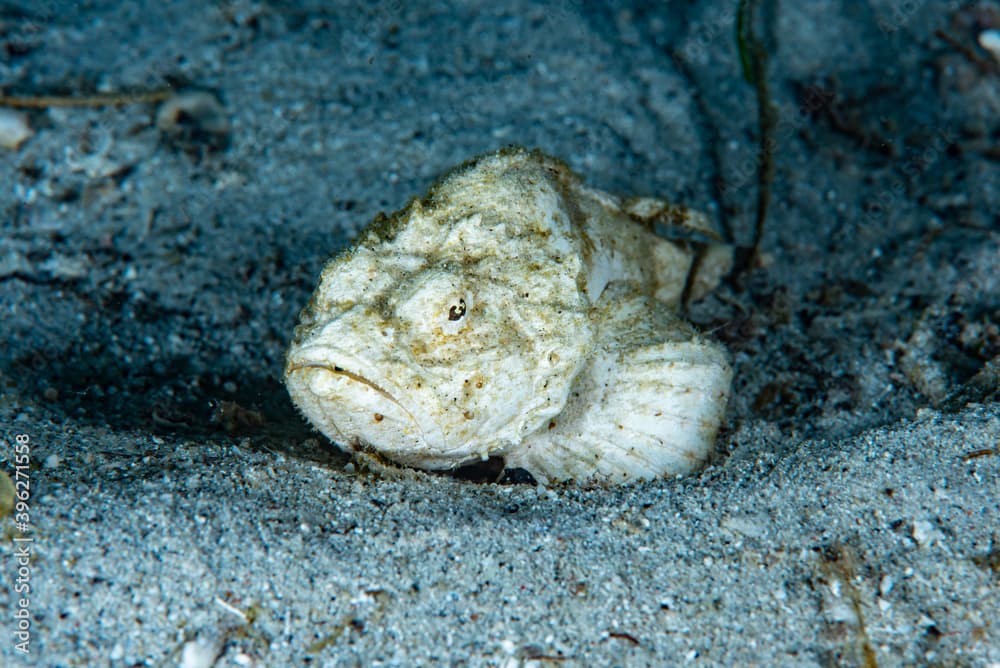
{"points": [[182, 513]]}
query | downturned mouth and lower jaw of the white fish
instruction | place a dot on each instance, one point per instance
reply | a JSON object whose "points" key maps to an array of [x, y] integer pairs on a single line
{"points": [[352, 404]]}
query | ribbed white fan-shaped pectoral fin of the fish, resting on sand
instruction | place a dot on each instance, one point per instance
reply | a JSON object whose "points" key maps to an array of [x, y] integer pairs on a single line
{"points": [[649, 403]]}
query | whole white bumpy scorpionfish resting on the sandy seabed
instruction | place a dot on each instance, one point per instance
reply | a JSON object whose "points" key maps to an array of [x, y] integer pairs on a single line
{"points": [[514, 312]]}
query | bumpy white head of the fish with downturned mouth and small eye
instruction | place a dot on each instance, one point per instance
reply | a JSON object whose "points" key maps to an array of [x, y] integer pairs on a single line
{"points": [[447, 334]]}
